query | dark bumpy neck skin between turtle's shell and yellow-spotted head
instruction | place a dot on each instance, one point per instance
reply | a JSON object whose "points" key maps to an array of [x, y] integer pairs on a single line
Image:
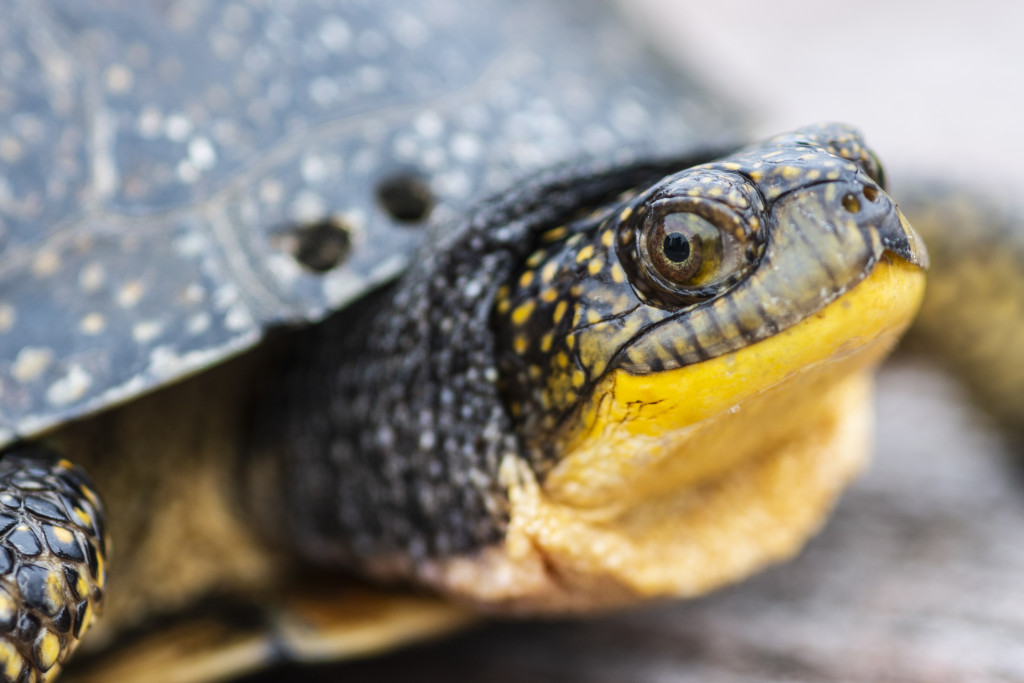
{"points": [[395, 424]]}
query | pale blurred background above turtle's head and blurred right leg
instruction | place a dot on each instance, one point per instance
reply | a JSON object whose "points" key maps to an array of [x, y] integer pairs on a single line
{"points": [[938, 88]]}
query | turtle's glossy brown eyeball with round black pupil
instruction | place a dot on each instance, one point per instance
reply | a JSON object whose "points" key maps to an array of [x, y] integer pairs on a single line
{"points": [[686, 253]]}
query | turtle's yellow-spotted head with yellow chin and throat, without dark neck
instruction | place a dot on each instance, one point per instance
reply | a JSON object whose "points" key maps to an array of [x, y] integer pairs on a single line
{"points": [[690, 369]]}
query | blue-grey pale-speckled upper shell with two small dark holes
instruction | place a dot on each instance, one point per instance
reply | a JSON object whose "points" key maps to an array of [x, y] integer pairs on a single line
{"points": [[153, 155]]}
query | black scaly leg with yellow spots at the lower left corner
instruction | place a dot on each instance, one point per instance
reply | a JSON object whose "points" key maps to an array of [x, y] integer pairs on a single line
{"points": [[53, 557]]}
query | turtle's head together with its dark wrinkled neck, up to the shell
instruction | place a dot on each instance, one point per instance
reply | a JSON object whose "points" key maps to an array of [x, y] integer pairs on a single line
{"points": [[579, 398]]}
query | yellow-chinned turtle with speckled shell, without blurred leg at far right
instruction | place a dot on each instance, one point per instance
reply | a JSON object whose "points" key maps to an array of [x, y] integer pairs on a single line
{"points": [[294, 296]]}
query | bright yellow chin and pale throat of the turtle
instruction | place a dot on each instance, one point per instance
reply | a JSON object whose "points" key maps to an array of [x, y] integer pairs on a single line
{"points": [[680, 482]]}
